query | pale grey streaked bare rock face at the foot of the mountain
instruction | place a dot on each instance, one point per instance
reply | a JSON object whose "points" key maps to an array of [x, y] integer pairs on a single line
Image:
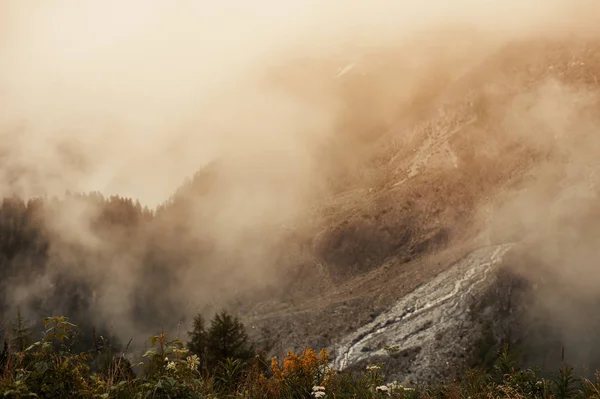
{"points": [[432, 328]]}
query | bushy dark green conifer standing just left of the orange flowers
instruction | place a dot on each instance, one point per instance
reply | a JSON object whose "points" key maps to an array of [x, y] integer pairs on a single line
{"points": [[227, 339]]}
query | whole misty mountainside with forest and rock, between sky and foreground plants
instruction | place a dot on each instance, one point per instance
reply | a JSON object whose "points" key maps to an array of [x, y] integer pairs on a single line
{"points": [[423, 226]]}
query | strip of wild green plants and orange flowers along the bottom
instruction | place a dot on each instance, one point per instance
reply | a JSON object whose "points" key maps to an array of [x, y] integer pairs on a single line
{"points": [[50, 368]]}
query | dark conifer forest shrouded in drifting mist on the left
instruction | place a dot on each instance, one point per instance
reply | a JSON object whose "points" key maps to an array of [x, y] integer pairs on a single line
{"points": [[108, 263]]}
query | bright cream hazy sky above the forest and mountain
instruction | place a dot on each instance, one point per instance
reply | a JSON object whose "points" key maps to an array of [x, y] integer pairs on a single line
{"points": [[132, 96]]}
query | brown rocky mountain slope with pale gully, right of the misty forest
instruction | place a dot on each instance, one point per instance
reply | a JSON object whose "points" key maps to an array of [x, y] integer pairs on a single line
{"points": [[394, 255]]}
